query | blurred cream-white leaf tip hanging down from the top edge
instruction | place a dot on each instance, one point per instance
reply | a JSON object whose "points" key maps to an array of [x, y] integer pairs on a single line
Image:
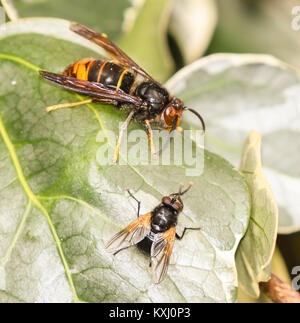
{"points": [[192, 24]]}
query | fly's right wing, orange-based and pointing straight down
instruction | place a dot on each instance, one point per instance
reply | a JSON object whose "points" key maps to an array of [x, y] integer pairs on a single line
{"points": [[161, 251]]}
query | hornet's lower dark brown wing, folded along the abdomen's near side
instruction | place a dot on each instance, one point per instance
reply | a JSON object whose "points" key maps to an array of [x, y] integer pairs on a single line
{"points": [[92, 89]]}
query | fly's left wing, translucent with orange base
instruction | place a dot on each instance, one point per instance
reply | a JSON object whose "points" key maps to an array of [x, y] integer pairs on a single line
{"points": [[131, 235]]}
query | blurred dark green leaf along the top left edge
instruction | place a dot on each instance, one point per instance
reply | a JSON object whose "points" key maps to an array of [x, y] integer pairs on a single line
{"points": [[105, 16]]}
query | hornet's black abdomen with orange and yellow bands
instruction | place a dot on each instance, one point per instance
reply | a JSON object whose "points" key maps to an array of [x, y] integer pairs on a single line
{"points": [[107, 73]]}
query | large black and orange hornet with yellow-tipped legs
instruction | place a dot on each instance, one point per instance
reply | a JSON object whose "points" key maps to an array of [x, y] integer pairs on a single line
{"points": [[122, 83]]}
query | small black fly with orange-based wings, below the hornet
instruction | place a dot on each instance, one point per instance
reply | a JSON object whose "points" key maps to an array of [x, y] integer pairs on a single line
{"points": [[153, 233]]}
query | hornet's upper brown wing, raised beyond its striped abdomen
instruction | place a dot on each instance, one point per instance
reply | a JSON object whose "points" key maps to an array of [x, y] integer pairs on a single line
{"points": [[113, 50]]}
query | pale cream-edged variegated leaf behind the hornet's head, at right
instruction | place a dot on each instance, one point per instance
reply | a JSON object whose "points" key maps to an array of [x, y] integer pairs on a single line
{"points": [[239, 93]]}
